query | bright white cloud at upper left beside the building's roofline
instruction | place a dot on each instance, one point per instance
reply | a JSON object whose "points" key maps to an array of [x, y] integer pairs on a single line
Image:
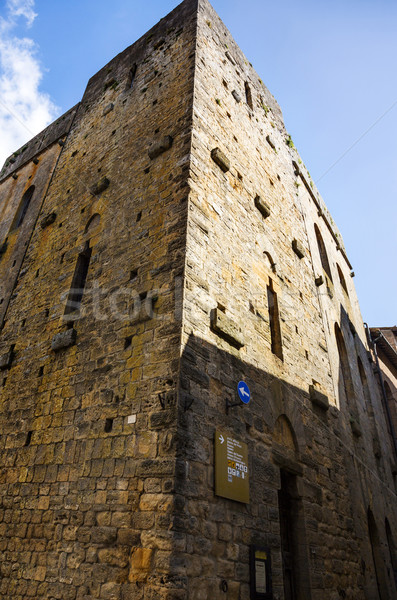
{"points": [[24, 109]]}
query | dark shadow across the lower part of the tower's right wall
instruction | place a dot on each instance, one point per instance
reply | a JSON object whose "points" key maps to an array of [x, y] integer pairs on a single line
{"points": [[305, 475]]}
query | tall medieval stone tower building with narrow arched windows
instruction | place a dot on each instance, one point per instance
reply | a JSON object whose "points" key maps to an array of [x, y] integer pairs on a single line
{"points": [[164, 249]]}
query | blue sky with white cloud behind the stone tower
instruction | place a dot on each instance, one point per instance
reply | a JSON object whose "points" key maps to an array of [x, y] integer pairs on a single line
{"points": [[330, 65]]}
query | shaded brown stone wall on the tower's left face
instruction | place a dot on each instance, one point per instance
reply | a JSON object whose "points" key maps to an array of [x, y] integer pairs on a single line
{"points": [[88, 400]]}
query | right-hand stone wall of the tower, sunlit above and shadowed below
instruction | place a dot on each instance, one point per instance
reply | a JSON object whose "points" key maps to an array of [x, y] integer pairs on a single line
{"points": [[252, 215]]}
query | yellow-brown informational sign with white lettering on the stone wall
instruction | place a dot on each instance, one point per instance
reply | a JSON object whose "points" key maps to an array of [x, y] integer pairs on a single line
{"points": [[231, 467]]}
